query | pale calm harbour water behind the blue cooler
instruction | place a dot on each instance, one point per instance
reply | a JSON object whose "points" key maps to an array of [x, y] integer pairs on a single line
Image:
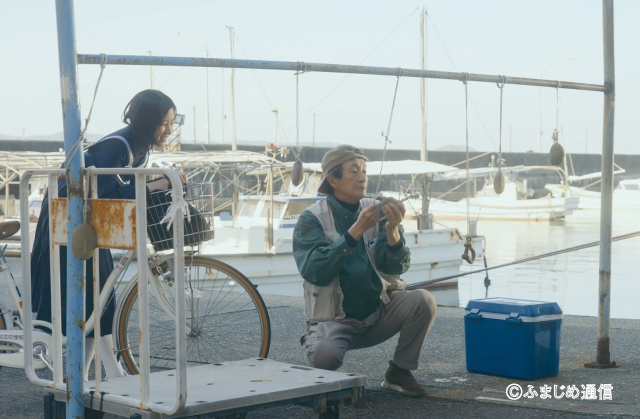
{"points": [[570, 279]]}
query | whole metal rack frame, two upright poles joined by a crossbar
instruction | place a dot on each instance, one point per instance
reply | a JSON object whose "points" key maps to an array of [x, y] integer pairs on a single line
{"points": [[69, 61]]}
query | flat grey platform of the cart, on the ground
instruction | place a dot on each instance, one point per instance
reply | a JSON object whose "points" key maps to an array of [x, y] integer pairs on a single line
{"points": [[230, 388]]}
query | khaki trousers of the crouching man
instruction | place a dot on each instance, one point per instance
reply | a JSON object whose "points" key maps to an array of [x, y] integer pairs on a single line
{"points": [[411, 313]]}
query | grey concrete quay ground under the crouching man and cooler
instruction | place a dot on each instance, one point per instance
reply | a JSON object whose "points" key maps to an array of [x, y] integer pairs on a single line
{"points": [[453, 392]]}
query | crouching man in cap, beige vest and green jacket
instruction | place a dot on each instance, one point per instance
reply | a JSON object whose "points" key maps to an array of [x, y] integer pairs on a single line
{"points": [[351, 260]]}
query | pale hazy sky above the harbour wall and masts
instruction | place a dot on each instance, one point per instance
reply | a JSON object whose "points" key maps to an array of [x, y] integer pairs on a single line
{"points": [[510, 37]]}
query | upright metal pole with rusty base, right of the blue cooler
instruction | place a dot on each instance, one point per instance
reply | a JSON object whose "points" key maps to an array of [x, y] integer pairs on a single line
{"points": [[603, 357]]}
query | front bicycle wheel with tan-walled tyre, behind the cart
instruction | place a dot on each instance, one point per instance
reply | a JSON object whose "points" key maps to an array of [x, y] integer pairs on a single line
{"points": [[226, 318]]}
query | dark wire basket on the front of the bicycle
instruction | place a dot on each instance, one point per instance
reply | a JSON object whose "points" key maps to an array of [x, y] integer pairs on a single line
{"points": [[198, 227]]}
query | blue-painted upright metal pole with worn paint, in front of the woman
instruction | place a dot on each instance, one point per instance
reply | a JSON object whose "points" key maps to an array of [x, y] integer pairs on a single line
{"points": [[75, 194]]}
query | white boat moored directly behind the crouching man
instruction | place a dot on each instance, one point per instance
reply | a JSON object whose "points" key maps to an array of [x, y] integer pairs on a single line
{"points": [[242, 243]]}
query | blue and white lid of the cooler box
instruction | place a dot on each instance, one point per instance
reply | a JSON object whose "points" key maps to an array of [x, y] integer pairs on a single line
{"points": [[507, 307]]}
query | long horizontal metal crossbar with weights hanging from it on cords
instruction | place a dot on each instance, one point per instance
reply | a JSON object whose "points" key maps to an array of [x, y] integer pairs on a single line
{"points": [[326, 68]]}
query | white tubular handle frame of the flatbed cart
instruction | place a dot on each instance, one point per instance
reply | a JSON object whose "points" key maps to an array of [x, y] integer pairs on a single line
{"points": [[58, 383]]}
